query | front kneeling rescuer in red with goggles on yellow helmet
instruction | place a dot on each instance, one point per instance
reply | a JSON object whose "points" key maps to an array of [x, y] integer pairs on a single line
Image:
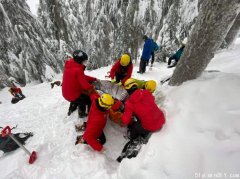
{"points": [[96, 122]]}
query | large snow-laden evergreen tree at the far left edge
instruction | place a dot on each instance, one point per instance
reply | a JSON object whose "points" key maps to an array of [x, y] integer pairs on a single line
{"points": [[24, 54]]}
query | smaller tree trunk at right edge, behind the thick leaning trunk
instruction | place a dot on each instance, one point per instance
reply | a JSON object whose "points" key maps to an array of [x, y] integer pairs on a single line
{"points": [[233, 32]]}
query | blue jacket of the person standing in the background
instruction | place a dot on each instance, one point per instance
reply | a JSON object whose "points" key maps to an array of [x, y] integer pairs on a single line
{"points": [[148, 48]]}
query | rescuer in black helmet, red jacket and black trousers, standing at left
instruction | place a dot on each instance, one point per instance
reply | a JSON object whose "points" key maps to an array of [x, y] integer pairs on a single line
{"points": [[76, 86]]}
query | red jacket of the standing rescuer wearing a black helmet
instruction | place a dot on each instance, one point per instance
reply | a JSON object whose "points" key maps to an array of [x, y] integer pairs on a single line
{"points": [[74, 80]]}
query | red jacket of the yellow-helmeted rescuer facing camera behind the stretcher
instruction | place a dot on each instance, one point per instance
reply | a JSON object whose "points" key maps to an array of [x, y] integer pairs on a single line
{"points": [[117, 68]]}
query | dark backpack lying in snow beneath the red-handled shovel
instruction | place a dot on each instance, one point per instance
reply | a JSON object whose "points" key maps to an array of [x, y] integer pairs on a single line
{"points": [[8, 145]]}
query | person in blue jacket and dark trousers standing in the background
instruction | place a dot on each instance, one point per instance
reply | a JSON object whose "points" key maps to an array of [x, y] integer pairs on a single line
{"points": [[148, 50]]}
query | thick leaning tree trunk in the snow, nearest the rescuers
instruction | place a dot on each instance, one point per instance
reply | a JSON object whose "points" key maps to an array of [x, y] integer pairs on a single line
{"points": [[214, 21]]}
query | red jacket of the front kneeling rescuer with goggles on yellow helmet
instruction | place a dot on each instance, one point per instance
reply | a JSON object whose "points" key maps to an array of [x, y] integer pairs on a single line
{"points": [[96, 122]]}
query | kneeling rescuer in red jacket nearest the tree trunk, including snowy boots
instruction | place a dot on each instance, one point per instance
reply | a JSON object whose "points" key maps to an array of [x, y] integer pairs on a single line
{"points": [[149, 118]]}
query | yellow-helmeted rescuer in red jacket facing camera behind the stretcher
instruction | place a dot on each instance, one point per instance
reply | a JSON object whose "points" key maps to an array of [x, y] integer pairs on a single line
{"points": [[121, 70]]}
